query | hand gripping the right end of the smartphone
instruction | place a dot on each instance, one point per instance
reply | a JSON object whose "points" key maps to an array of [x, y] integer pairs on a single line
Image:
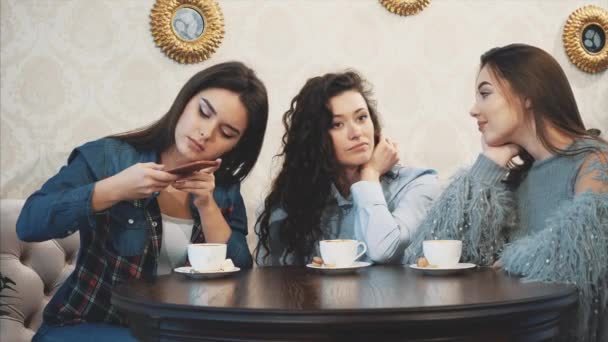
{"points": [[201, 184]]}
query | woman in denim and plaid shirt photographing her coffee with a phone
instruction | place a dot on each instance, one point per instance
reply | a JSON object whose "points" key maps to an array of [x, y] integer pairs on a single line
{"points": [[136, 219]]}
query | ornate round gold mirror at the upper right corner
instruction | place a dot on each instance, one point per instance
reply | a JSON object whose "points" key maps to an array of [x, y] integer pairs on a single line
{"points": [[585, 36]]}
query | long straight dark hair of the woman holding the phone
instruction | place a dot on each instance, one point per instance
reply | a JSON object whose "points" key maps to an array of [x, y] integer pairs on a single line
{"points": [[233, 76]]}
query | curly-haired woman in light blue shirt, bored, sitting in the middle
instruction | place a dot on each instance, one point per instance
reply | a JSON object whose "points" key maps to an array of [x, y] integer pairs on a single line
{"points": [[340, 179]]}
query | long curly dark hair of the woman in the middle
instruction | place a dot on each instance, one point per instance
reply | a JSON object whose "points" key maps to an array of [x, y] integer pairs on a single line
{"points": [[303, 186]]}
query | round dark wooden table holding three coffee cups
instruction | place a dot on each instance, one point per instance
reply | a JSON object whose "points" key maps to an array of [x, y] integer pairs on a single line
{"points": [[379, 303]]}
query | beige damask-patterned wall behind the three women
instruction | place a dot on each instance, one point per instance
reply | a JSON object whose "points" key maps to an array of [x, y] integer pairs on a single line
{"points": [[73, 71]]}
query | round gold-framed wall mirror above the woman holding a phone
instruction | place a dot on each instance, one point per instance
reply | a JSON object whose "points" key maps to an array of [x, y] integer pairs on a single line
{"points": [[188, 31]]}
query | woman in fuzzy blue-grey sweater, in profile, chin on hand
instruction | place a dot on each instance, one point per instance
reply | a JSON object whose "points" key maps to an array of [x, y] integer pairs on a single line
{"points": [[544, 217]]}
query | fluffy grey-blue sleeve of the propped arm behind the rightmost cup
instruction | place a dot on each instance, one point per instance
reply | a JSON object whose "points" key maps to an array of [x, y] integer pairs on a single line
{"points": [[475, 208]]}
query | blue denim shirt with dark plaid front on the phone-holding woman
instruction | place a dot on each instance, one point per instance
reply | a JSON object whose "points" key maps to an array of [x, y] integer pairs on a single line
{"points": [[117, 244]]}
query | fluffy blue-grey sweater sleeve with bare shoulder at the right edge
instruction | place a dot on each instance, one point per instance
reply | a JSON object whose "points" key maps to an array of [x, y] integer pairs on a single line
{"points": [[572, 247]]}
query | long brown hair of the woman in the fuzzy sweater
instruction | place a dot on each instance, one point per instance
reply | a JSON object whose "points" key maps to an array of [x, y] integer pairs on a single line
{"points": [[535, 76]]}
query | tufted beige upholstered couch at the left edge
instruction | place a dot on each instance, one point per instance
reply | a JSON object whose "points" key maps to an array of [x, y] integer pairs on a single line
{"points": [[38, 269]]}
